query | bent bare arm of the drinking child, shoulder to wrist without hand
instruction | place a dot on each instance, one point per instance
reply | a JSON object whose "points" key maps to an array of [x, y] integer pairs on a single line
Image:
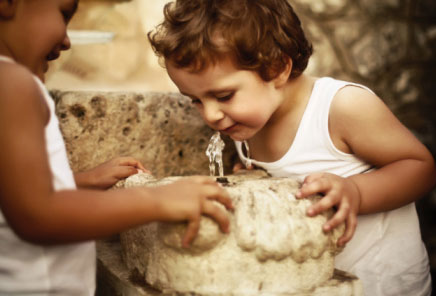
{"points": [[405, 168]]}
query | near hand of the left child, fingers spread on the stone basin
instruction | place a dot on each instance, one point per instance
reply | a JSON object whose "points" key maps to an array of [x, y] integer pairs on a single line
{"points": [[189, 199]]}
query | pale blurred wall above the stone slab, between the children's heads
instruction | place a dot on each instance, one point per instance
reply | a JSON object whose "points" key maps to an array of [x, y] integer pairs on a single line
{"points": [[122, 62]]}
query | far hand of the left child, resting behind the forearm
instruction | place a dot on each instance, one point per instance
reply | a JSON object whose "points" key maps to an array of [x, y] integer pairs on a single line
{"points": [[108, 173]]}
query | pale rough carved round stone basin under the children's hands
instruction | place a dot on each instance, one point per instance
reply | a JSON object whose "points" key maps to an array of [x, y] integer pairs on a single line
{"points": [[273, 248]]}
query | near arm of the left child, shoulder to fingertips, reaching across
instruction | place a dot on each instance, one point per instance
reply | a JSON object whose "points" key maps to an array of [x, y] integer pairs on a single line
{"points": [[39, 214]]}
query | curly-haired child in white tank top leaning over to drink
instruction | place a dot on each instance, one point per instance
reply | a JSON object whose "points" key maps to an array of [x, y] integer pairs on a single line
{"points": [[242, 62]]}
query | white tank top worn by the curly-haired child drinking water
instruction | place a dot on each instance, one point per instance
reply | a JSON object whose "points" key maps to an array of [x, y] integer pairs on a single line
{"points": [[386, 251]]}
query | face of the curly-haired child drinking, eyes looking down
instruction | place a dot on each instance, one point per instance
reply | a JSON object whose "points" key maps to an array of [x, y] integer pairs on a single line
{"points": [[235, 102]]}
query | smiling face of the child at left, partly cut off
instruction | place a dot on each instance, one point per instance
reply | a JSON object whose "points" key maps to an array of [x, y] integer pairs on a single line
{"points": [[40, 32]]}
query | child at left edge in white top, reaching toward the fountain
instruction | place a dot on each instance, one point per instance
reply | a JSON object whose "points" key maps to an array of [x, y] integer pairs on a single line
{"points": [[46, 224]]}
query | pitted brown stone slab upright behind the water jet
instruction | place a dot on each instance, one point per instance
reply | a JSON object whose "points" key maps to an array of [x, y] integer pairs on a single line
{"points": [[164, 131]]}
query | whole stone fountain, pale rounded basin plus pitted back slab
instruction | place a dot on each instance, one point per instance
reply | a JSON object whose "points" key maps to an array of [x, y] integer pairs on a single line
{"points": [[273, 248]]}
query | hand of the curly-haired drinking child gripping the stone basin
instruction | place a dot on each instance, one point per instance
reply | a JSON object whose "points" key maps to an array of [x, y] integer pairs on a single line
{"points": [[338, 192]]}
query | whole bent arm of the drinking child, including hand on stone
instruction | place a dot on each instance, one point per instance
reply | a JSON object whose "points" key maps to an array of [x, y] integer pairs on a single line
{"points": [[360, 123]]}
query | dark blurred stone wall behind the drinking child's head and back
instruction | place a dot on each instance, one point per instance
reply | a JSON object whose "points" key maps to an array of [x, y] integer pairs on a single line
{"points": [[386, 45]]}
